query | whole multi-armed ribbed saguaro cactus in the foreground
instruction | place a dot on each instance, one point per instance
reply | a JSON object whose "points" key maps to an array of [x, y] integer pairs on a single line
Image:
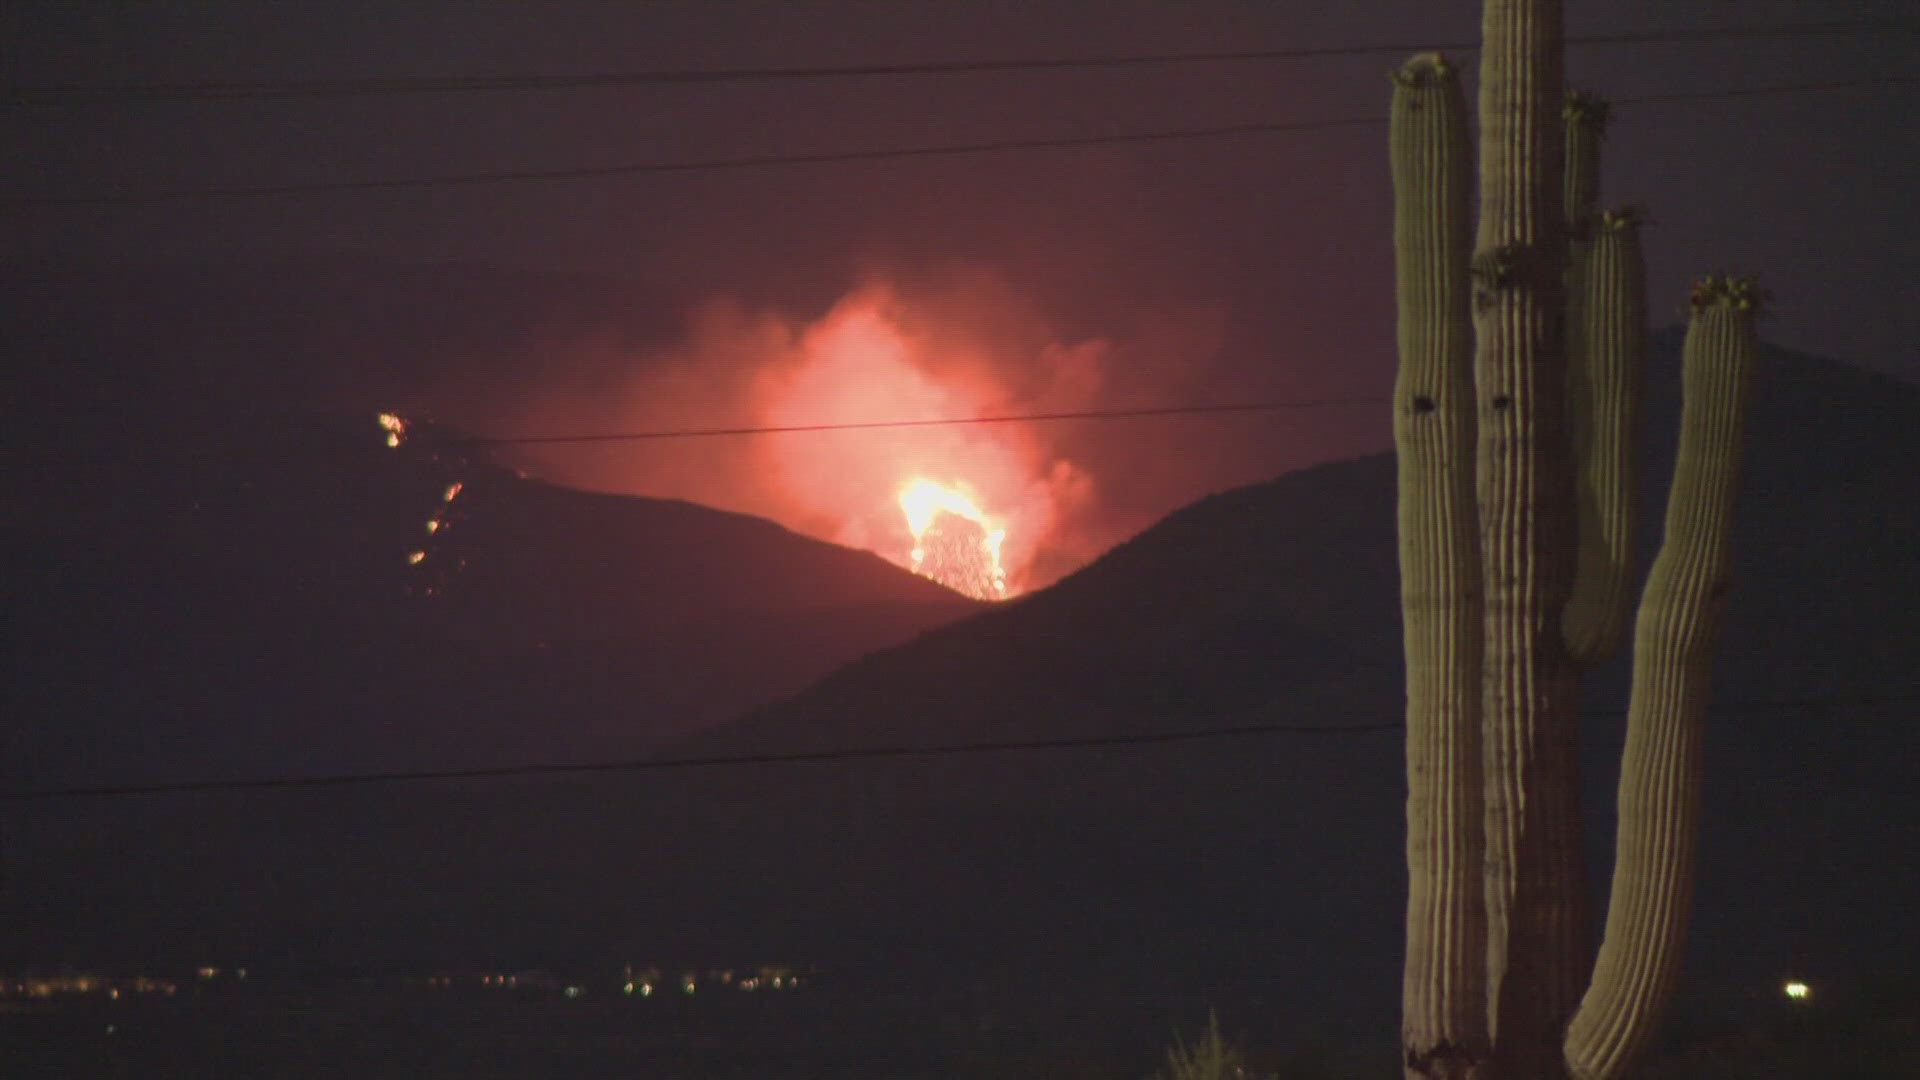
{"points": [[1493, 981]]}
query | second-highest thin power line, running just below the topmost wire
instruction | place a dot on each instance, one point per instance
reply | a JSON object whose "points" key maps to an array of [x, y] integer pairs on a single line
{"points": [[844, 157]]}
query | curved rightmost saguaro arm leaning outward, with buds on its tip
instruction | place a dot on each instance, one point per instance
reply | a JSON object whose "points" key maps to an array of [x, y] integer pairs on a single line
{"points": [[1673, 652]]}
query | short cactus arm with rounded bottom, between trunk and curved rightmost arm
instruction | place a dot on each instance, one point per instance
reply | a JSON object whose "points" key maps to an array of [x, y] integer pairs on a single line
{"points": [[1604, 370]]}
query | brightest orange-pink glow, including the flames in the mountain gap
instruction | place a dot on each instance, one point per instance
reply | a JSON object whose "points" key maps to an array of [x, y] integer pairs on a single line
{"points": [[963, 504]]}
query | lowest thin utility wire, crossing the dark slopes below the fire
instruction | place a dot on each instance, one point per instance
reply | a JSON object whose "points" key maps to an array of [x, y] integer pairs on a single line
{"points": [[830, 756]]}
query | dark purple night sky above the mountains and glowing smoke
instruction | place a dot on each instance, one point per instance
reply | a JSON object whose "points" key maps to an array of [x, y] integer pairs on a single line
{"points": [[1280, 243]]}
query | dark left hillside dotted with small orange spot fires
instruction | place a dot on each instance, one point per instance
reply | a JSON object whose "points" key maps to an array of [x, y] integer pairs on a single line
{"points": [[237, 599]]}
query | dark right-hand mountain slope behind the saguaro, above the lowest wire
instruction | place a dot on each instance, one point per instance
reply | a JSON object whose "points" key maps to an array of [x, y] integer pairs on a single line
{"points": [[1251, 599]]}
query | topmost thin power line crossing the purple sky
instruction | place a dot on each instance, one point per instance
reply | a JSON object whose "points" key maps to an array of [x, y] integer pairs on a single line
{"points": [[120, 93]]}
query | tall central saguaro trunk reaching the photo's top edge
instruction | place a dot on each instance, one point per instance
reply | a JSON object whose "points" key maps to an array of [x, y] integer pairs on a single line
{"points": [[1535, 875]]}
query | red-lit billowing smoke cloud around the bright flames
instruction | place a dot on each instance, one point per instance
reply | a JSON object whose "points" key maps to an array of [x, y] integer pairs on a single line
{"points": [[961, 349]]}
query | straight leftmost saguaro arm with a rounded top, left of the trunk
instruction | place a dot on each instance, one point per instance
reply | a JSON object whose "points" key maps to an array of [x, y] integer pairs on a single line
{"points": [[1445, 985]]}
